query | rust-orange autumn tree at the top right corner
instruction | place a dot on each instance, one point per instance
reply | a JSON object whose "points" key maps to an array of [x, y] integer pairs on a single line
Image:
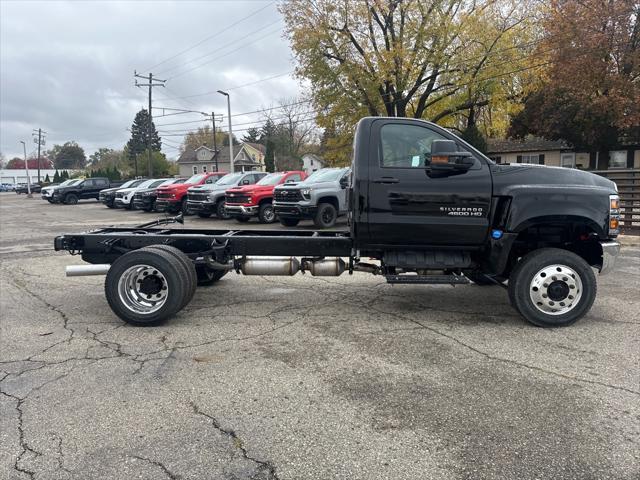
{"points": [[591, 95]]}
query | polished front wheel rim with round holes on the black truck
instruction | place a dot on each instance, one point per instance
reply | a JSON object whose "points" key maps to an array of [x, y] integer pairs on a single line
{"points": [[556, 289]]}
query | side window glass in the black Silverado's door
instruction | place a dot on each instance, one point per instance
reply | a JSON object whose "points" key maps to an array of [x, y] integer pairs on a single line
{"points": [[406, 146]]}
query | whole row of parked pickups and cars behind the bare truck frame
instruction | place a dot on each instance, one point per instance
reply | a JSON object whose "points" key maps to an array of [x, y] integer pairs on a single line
{"points": [[286, 196]]}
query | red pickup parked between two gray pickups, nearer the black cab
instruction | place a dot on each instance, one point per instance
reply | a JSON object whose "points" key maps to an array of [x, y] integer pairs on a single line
{"points": [[246, 201]]}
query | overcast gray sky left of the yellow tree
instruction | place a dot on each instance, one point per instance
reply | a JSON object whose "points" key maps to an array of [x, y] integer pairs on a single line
{"points": [[67, 66]]}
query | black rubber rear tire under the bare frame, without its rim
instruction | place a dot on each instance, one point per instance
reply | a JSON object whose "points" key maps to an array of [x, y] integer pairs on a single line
{"points": [[170, 267]]}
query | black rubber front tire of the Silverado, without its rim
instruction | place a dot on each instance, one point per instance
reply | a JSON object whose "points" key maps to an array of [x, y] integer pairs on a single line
{"points": [[529, 265]]}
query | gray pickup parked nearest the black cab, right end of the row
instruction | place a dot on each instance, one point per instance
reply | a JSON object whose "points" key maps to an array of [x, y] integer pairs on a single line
{"points": [[322, 197]]}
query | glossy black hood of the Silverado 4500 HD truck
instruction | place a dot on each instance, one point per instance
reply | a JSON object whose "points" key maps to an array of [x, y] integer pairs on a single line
{"points": [[507, 177]]}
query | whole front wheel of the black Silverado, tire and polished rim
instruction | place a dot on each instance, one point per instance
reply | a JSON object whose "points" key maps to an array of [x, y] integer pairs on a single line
{"points": [[551, 287]]}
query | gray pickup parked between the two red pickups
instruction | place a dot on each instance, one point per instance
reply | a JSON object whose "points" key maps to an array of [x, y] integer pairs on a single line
{"points": [[208, 199]]}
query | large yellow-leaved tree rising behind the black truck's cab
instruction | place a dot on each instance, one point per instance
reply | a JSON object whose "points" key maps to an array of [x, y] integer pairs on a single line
{"points": [[448, 61]]}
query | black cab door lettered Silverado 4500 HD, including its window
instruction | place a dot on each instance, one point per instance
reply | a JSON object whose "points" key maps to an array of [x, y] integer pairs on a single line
{"points": [[407, 206]]}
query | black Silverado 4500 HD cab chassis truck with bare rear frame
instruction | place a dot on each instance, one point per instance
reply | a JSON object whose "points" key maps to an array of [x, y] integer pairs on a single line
{"points": [[425, 207]]}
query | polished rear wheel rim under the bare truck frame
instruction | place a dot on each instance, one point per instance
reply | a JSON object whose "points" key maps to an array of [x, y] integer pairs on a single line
{"points": [[143, 289]]}
